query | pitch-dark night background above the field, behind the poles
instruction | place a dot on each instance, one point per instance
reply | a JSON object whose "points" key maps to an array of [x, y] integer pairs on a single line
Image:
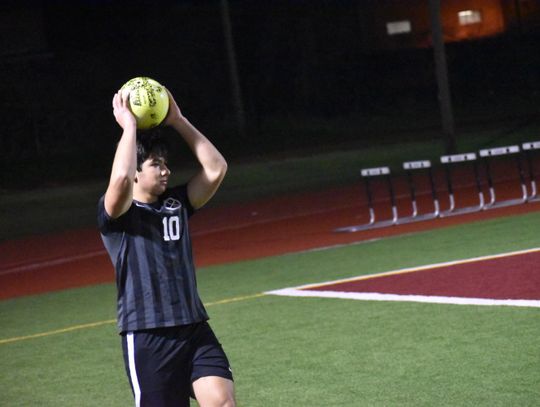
{"points": [[311, 77]]}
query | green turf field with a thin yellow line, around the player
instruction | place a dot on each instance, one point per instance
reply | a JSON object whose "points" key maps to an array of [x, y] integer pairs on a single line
{"points": [[61, 348]]}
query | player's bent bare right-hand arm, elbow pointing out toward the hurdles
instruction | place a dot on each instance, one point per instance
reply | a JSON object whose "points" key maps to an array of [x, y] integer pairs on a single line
{"points": [[213, 165]]}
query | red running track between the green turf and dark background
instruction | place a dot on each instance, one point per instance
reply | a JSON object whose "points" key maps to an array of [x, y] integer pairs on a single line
{"points": [[252, 230]]}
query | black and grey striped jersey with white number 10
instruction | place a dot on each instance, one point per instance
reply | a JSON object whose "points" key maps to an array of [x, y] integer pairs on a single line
{"points": [[150, 248]]}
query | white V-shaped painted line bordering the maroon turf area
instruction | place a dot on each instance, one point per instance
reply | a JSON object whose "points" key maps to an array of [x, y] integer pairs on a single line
{"points": [[303, 291]]}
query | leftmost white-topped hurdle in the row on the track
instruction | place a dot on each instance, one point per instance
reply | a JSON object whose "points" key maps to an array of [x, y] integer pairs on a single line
{"points": [[367, 174]]}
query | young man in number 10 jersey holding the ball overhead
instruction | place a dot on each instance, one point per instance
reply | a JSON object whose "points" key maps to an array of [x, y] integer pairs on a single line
{"points": [[170, 351]]}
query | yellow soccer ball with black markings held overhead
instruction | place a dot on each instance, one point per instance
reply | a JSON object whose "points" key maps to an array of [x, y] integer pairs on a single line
{"points": [[148, 101]]}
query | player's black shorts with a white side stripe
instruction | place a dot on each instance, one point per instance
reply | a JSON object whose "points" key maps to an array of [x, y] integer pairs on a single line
{"points": [[162, 363]]}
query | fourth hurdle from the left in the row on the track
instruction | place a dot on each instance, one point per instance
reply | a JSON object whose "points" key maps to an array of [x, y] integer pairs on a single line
{"points": [[487, 155]]}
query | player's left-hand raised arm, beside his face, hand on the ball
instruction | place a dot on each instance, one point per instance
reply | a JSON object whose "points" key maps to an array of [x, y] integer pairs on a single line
{"points": [[119, 195]]}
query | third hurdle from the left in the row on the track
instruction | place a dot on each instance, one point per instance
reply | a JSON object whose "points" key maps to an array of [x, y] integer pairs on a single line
{"points": [[448, 161]]}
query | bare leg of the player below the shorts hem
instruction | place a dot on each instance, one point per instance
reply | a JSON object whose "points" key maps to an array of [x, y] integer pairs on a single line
{"points": [[213, 391]]}
